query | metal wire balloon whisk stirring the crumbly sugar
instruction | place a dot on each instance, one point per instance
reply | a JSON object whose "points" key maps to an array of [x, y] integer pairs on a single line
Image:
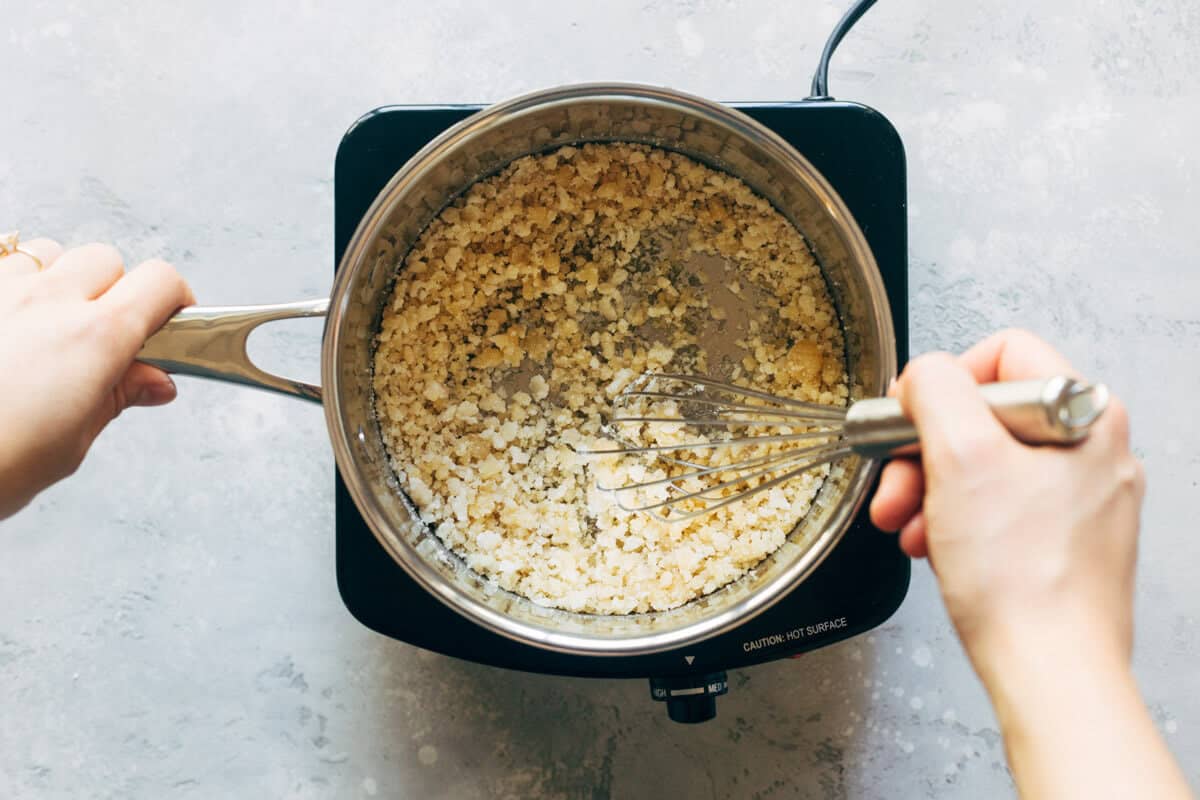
{"points": [[700, 444]]}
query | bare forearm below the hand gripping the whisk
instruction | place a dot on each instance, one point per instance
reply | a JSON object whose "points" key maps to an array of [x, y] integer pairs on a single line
{"points": [[1076, 726]]}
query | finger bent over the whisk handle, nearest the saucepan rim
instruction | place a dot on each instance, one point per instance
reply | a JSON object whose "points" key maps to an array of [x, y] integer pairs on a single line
{"points": [[956, 426]]}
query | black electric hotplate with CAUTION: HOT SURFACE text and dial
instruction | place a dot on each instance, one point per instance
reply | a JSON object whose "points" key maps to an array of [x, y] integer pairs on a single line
{"points": [[857, 587]]}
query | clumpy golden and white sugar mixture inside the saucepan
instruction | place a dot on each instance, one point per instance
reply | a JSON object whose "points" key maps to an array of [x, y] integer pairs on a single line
{"points": [[536, 298]]}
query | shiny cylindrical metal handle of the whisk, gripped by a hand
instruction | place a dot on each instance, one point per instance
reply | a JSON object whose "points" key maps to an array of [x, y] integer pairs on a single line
{"points": [[1047, 412]]}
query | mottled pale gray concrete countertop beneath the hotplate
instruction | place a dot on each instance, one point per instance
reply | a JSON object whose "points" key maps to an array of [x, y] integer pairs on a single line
{"points": [[170, 624]]}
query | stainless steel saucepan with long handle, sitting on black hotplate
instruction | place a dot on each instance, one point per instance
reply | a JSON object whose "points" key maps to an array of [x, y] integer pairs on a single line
{"points": [[212, 342]]}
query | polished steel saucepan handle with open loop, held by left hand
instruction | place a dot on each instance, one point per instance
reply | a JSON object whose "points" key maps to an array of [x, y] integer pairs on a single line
{"points": [[211, 342]]}
